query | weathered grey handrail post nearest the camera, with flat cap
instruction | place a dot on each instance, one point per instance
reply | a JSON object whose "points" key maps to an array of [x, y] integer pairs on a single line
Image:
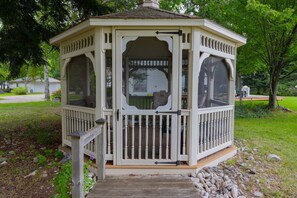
{"points": [[77, 164]]}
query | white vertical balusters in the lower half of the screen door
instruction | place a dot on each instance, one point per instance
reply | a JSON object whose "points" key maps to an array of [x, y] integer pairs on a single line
{"points": [[146, 136]]}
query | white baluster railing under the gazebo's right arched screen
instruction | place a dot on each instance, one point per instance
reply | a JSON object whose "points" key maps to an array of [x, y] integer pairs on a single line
{"points": [[215, 127]]}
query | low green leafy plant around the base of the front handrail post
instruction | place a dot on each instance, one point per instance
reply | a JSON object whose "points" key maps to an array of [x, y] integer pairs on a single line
{"points": [[62, 181]]}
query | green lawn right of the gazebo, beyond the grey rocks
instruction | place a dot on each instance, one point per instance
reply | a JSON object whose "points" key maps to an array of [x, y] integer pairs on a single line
{"points": [[274, 133]]}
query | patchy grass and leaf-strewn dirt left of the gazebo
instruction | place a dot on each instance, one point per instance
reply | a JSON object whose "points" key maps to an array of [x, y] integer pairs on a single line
{"points": [[30, 134]]}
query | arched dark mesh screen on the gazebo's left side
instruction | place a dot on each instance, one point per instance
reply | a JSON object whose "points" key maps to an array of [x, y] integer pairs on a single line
{"points": [[81, 82]]}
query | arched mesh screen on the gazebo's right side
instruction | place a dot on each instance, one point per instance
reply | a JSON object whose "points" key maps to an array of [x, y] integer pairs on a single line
{"points": [[213, 88]]}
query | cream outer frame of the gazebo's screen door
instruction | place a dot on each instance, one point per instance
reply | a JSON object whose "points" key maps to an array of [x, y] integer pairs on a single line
{"points": [[175, 87]]}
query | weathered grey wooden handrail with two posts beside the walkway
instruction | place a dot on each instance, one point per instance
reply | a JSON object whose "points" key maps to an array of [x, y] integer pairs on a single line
{"points": [[78, 140]]}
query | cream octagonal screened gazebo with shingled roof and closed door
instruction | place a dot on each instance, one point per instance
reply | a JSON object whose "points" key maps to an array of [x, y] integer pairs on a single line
{"points": [[163, 81]]}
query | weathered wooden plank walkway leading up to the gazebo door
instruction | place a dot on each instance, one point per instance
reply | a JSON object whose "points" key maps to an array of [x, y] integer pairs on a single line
{"points": [[175, 186]]}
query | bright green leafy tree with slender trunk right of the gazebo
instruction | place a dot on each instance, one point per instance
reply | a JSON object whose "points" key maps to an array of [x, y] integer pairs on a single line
{"points": [[271, 29]]}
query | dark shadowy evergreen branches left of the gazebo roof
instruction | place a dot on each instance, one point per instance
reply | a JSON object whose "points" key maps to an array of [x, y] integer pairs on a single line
{"points": [[25, 24]]}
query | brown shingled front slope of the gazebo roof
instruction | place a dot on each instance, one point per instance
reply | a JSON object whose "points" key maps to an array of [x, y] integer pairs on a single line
{"points": [[146, 13]]}
